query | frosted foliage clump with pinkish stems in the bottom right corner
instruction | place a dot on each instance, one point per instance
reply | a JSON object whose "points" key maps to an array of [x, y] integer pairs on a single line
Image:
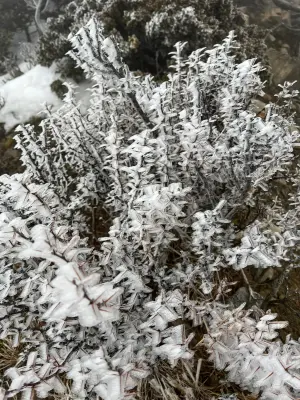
{"points": [[260, 364]]}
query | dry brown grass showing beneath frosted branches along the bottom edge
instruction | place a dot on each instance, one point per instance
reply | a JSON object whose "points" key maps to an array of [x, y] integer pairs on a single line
{"points": [[189, 380]]}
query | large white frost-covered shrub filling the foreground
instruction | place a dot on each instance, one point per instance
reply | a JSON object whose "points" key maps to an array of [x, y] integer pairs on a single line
{"points": [[171, 164]]}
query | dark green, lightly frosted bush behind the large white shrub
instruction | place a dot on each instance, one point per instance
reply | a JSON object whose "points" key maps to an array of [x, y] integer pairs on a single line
{"points": [[148, 30]]}
